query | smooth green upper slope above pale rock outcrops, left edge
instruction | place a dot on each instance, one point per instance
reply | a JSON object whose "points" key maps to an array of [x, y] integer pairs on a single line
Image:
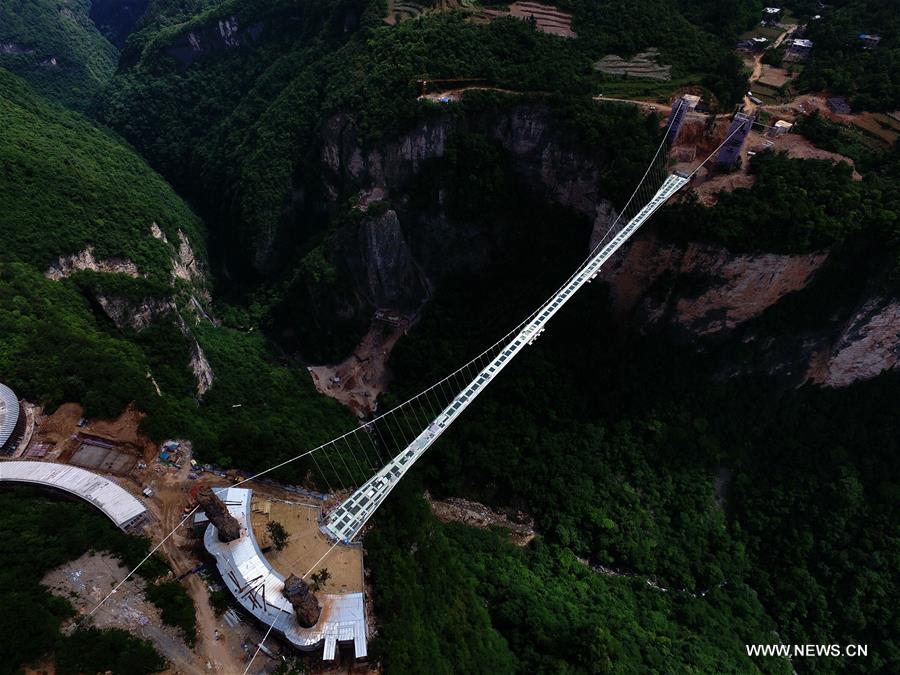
{"points": [[67, 184]]}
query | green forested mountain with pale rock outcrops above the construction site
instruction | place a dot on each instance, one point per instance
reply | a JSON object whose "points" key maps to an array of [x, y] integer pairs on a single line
{"points": [[102, 271]]}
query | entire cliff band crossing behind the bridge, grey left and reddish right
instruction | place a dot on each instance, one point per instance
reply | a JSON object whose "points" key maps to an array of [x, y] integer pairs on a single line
{"points": [[695, 293]]}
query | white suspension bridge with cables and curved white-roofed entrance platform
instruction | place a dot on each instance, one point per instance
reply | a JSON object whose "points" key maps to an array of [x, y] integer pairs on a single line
{"points": [[365, 464]]}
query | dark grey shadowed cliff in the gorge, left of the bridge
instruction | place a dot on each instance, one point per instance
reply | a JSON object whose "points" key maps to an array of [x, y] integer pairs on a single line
{"points": [[395, 258]]}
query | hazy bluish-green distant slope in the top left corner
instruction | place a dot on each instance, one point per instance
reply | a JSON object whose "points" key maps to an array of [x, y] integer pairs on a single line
{"points": [[57, 48]]}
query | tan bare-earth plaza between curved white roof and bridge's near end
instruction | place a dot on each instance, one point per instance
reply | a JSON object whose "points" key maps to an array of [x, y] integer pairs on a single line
{"points": [[307, 545]]}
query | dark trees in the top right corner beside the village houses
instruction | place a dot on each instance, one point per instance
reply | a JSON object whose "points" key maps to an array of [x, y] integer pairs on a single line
{"points": [[840, 60]]}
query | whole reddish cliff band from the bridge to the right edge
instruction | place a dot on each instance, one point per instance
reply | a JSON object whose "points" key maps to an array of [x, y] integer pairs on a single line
{"points": [[711, 298]]}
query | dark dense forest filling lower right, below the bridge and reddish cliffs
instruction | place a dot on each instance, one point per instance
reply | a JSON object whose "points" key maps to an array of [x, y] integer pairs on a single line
{"points": [[618, 446]]}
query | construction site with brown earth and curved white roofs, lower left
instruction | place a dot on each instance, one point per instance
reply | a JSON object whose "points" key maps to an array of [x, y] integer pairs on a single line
{"points": [[147, 488]]}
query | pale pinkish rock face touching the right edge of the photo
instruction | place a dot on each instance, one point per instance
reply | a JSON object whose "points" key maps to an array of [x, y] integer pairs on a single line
{"points": [[869, 345]]}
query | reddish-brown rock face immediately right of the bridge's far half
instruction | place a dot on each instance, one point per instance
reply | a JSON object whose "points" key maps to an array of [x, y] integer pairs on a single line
{"points": [[701, 289]]}
